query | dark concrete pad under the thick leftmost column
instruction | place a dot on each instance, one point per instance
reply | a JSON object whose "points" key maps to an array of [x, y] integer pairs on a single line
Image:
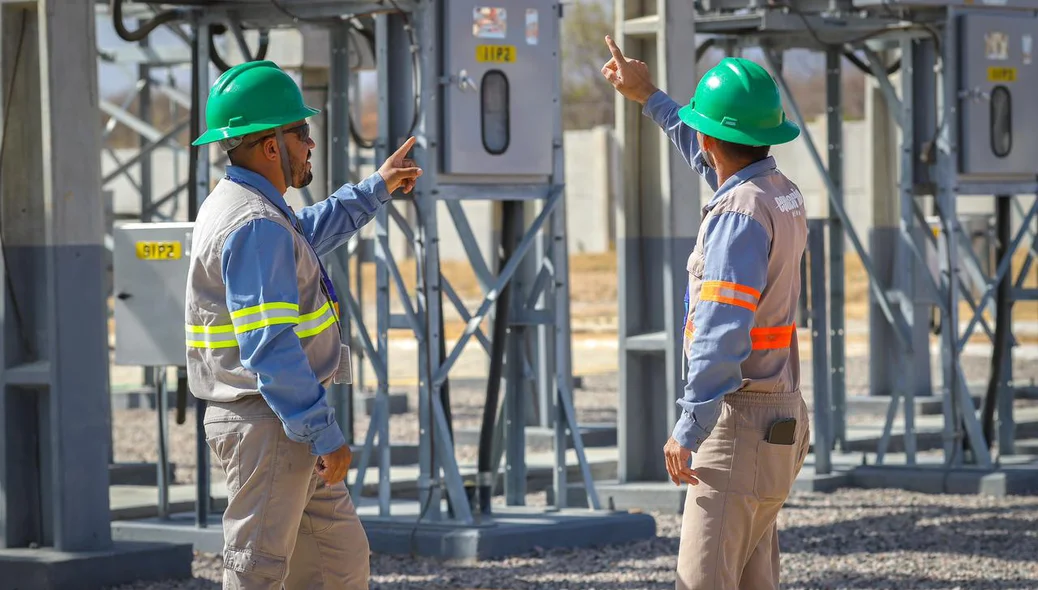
{"points": [[124, 564]]}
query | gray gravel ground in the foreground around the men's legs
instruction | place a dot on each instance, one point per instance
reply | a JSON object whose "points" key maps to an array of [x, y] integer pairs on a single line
{"points": [[852, 540]]}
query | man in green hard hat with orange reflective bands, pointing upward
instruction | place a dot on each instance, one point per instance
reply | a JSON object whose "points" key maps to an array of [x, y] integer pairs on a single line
{"points": [[743, 434]]}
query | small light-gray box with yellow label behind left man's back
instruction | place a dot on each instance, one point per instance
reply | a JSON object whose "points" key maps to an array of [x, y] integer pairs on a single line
{"points": [[151, 272]]}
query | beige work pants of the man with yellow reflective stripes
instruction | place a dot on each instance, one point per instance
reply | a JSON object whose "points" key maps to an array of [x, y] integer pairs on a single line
{"points": [[284, 528]]}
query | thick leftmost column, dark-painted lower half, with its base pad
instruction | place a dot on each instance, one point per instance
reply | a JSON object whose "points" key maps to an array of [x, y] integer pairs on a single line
{"points": [[54, 401]]}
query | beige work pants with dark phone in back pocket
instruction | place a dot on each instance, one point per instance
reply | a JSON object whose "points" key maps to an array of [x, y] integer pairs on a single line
{"points": [[729, 535]]}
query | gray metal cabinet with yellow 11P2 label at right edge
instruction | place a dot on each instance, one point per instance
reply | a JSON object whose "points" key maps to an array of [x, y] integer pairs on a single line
{"points": [[998, 83]]}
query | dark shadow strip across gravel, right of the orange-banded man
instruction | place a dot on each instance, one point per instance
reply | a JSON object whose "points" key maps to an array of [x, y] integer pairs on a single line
{"points": [[967, 531]]}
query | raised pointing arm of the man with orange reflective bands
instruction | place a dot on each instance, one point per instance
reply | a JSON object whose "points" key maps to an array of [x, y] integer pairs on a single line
{"points": [[632, 79]]}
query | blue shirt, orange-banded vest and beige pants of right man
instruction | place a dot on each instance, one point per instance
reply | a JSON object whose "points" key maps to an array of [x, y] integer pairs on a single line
{"points": [[741, 344]]}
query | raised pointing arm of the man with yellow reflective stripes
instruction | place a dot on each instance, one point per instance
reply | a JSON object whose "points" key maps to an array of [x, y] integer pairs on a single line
{"points": [[332, 223]]}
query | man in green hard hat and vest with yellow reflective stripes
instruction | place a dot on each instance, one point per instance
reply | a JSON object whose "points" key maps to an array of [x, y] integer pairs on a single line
{"points": [[264, 339]]}
